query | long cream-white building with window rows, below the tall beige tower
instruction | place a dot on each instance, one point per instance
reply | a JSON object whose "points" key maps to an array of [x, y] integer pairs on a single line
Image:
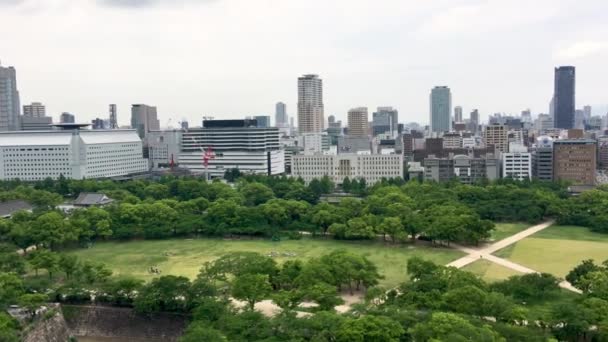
{"points": [[372, 167]]}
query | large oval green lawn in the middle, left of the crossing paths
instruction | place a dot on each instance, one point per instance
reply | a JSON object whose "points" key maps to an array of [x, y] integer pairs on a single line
{"points": [[185, 257]]}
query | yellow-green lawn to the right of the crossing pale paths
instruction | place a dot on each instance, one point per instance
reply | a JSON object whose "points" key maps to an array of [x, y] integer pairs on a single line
{"points": [[558, 249]]}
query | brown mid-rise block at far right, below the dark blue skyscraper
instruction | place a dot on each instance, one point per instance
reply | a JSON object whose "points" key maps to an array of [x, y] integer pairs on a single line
{"points": [[575, 160]]}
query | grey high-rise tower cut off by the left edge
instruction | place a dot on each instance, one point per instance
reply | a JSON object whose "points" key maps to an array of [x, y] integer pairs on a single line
{"points": [[10, 107]]}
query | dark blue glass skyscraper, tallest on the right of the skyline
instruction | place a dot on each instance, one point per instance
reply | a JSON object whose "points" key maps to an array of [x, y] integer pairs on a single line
{"points": [[564, 97]]}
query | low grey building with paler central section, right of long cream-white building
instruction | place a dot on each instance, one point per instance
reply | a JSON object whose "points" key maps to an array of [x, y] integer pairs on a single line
{"points": [[466, 169]]}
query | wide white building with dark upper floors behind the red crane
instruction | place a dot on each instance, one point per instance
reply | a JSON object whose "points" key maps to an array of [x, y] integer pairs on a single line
{"points": [[232, 144]]}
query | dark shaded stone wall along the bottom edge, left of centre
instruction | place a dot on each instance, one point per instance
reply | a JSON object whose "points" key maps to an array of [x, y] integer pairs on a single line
{"points": [[100, 321]]}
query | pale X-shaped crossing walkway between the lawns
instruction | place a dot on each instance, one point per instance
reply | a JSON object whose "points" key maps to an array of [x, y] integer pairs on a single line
{"points": [[475, 254]]}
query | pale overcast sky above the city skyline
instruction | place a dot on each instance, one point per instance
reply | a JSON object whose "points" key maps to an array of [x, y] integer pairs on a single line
{"points": [[234, 58]]}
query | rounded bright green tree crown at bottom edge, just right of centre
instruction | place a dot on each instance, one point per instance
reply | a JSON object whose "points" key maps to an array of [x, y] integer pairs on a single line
{"points": [[369, 328]]}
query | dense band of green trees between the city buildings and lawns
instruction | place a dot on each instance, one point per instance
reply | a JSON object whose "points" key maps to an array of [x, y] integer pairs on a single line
{"points": [[281, 206]]}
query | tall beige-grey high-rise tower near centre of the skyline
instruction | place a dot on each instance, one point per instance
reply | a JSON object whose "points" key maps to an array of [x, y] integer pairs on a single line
{"points": [[311, 118]]}
